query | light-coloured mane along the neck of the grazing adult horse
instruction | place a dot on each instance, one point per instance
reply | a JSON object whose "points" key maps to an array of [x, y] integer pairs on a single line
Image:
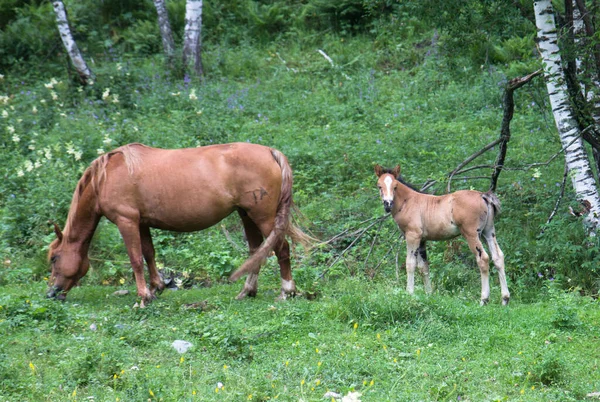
{"points": [[96, 172]]}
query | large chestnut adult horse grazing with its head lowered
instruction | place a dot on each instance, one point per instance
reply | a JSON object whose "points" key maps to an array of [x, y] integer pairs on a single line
{"points": [[138, 187]]}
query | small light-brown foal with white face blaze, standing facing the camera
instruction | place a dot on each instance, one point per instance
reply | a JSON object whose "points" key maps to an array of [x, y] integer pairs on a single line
{"points": [[425, 217]]}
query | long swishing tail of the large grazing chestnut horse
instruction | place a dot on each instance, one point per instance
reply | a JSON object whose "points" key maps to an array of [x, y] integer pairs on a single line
{"points": [[283, 224]]}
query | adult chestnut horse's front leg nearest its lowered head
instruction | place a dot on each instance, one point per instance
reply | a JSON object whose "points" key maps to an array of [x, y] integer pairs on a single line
{"points": [[130, 231]]}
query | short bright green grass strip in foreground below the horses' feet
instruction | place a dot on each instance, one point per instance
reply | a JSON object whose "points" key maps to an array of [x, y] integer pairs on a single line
{"points": [[368, 336]]}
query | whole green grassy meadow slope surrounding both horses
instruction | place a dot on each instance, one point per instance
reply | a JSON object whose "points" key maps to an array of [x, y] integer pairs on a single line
{"points": [[354, 329]]}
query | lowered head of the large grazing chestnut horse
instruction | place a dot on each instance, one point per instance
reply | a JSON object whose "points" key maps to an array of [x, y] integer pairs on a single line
{"points": [[69, 263]]}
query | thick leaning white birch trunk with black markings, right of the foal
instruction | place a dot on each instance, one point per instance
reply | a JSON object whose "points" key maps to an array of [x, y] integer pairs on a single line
{"points": [[578, 164]]}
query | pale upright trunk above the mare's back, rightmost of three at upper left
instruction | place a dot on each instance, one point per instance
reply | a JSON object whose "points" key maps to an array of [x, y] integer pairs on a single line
{"points": [[192, 58]]}
